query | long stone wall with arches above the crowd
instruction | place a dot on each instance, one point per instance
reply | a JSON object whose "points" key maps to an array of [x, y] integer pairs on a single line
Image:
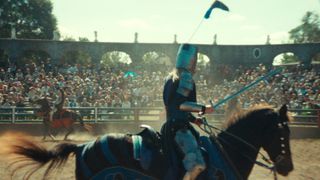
{"points": [[232, 55]]}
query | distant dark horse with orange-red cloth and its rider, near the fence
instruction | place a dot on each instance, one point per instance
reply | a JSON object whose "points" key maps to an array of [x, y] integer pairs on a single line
{"points": [[62, 118]]}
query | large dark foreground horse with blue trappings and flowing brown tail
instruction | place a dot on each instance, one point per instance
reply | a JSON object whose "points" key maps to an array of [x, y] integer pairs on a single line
{"points": [[229, 155]]}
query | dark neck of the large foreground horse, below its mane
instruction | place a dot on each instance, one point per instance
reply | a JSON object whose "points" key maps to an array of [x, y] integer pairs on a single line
{"points": [[241, 154]]}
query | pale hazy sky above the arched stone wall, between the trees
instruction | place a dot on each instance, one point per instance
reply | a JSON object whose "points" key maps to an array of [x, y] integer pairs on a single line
{"points": [[248, 22]]}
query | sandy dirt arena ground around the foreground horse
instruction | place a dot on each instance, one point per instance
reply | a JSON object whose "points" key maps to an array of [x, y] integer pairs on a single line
{"points": [[306, 157]]}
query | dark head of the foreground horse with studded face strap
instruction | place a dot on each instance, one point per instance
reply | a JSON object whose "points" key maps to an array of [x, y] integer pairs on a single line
{"points": [[277, 142]]}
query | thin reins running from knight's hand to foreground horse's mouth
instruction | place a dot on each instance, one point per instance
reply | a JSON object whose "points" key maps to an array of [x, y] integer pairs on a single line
{"points": [[208, 129]]}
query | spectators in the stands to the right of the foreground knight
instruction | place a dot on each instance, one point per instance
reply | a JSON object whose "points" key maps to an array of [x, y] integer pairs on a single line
{"points": [[297, 86]]}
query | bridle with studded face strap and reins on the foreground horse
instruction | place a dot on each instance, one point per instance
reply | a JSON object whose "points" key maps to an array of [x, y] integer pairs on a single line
{"points": [[207, 128]]}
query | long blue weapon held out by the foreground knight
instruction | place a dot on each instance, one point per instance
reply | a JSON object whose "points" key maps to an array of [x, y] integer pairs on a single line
{"points": [[271, 73]]}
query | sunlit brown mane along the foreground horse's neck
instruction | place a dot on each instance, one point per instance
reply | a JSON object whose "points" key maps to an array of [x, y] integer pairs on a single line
{"points": [[242, 114]]}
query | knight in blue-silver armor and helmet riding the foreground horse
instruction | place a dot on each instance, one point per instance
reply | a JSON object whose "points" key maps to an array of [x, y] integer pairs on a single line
{"points": [[179, 96]]}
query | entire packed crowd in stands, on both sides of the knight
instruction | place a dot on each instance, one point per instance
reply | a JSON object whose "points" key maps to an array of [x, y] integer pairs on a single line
{"points": [[298, 86]]}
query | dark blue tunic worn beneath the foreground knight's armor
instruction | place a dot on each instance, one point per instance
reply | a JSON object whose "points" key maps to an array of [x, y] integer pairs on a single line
{"points": [[176, 119]]}
